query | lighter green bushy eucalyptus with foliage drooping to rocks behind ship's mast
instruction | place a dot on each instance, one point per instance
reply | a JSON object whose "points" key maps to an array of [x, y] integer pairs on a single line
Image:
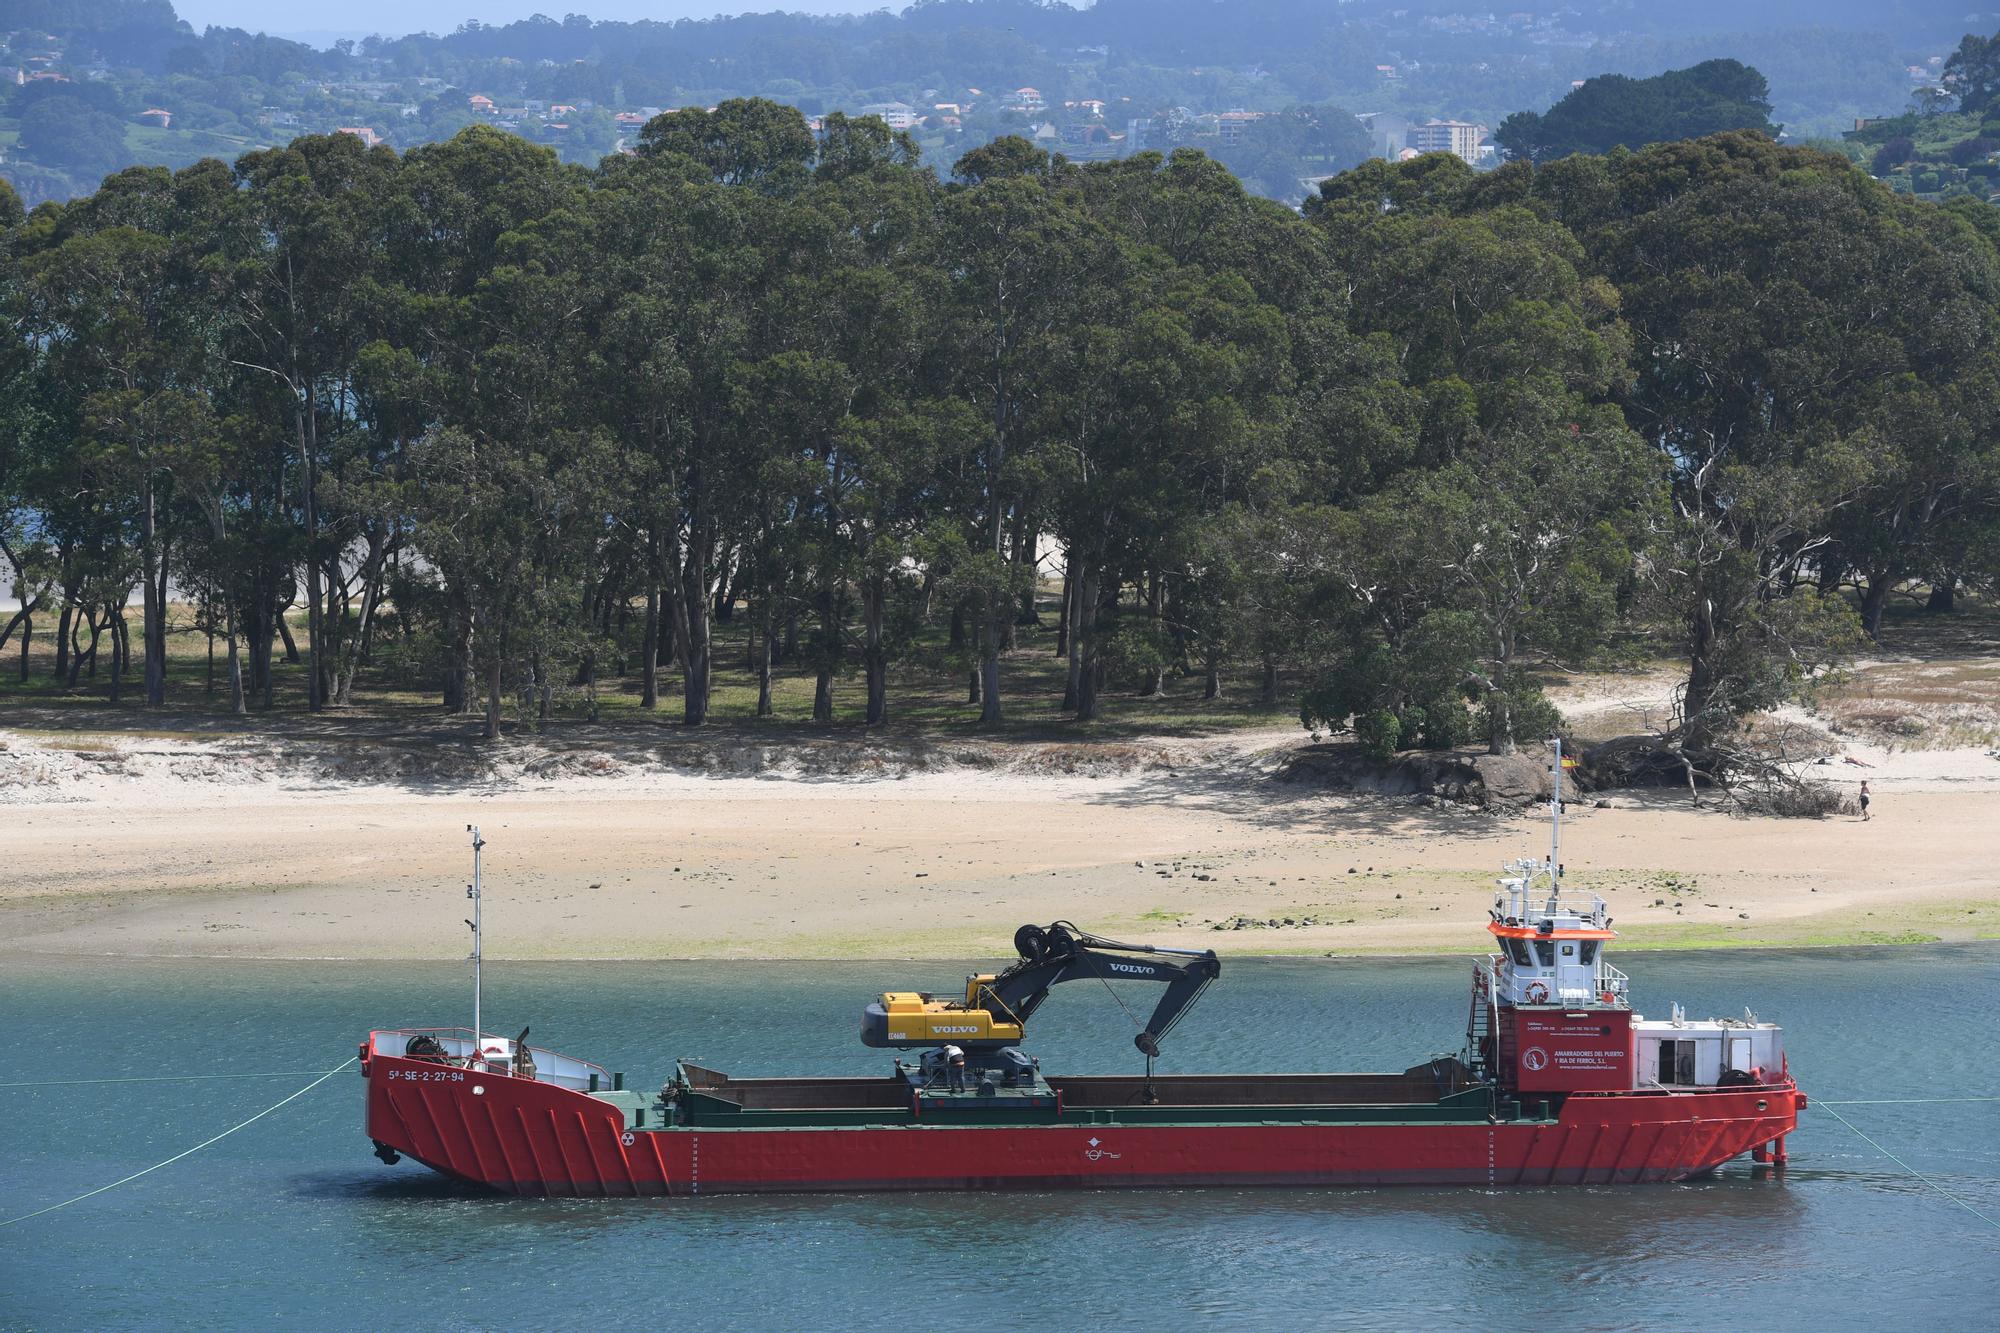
{"points": [[1529, 495]]}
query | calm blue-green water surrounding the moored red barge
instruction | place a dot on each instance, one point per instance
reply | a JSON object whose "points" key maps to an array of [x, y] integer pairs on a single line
{"points": [[293, 1222]]}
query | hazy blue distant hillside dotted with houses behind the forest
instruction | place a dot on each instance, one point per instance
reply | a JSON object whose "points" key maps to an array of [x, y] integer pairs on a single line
{"points": [[129, 83]]}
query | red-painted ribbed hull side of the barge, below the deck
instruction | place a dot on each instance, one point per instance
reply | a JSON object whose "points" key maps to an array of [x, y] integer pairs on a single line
{"points": [[543, 1140]]}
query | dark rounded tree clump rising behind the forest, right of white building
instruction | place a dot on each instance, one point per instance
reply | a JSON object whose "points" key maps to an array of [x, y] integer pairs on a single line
{"points": [[1631, 113]]}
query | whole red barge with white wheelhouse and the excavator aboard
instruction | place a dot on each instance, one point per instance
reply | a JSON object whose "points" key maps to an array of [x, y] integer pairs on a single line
{"points": [[1559, 1084]]}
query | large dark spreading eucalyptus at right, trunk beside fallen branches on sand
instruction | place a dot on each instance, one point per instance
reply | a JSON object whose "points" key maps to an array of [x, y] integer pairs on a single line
{"points": [[1781, 305]]}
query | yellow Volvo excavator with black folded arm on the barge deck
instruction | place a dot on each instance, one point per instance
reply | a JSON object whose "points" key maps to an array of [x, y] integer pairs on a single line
{"points": [[997, 1008]]}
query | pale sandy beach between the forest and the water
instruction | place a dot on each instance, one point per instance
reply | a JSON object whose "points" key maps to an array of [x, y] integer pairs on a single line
{"points": [[199, 848]]}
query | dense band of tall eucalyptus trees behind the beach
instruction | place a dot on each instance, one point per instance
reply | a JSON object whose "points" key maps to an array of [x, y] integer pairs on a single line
{"points": [[505, 427]]}
